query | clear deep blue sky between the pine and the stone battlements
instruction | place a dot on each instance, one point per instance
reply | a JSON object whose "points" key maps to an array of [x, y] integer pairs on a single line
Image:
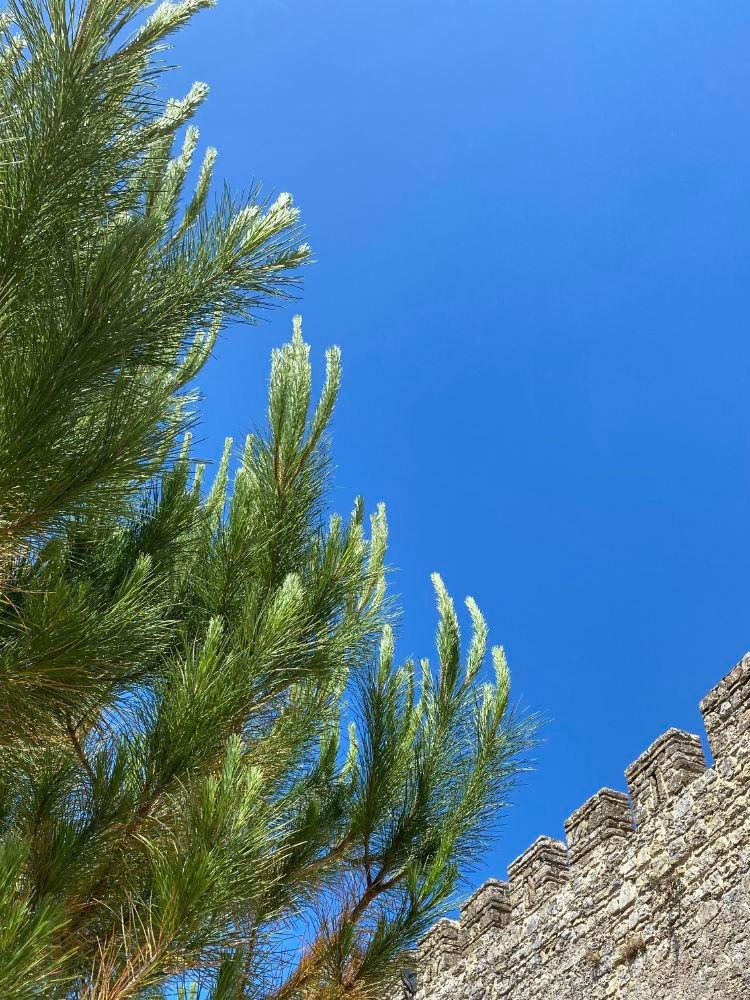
{"points": [[531, 220]]}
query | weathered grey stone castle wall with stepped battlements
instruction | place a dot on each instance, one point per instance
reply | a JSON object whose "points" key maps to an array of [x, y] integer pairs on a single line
{"points": [[648, 900]]}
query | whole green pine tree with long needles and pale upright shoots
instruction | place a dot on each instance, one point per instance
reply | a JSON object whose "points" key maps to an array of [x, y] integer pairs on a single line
{"points": [[217, 780]]}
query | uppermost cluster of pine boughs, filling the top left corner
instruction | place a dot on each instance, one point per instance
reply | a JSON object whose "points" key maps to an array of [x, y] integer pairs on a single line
{"points": [[113, 285]]}
